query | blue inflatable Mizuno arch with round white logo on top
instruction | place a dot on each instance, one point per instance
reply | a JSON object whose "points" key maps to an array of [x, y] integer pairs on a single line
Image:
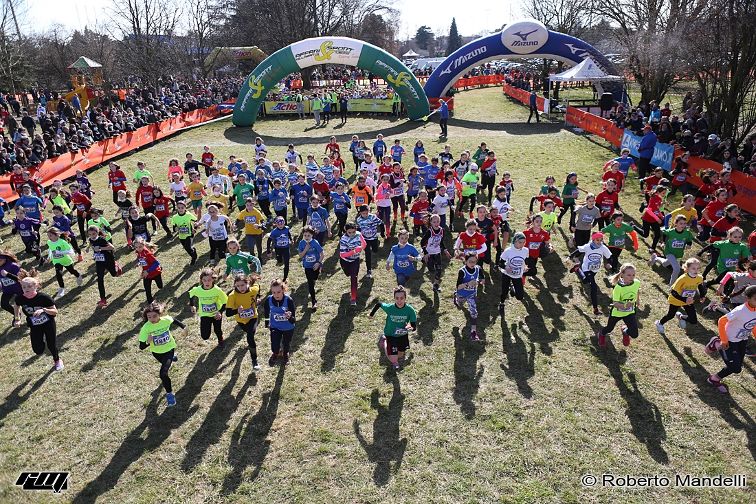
{"points": [[522, 39]]}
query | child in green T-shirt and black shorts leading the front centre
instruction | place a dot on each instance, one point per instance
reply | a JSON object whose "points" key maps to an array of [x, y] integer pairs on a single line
{"points": [[400, 319]]}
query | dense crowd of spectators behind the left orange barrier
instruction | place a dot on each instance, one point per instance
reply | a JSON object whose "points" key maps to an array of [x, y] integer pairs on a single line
{"points": [[57, 126]]}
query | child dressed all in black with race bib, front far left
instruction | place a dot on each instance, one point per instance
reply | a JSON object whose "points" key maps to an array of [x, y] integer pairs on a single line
{"points": [[40, 312]]}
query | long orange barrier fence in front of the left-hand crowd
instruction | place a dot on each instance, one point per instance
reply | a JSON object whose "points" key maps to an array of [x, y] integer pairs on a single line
{"points": [[65, 165]]}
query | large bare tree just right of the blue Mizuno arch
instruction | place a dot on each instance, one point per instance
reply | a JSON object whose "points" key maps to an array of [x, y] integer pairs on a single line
{"points": [[652, 35]]}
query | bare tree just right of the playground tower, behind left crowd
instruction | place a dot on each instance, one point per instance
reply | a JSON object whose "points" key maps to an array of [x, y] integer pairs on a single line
{"points": [[146, 30]]}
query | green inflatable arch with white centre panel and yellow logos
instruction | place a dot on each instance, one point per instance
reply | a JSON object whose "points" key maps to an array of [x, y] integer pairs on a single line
{"points": [[328, 50]]}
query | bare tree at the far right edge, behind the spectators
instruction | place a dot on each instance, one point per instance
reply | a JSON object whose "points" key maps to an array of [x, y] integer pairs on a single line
{"points": [[721, 54]]}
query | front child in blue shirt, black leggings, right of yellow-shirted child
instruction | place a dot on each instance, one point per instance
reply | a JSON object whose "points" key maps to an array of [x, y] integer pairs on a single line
{"points": [[280, 317]]}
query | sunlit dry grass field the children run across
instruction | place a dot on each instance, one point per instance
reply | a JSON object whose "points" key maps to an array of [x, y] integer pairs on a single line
{"points": [[519, 417]]}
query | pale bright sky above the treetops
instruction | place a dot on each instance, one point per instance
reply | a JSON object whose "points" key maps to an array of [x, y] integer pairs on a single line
{"points": [[476, 17]]}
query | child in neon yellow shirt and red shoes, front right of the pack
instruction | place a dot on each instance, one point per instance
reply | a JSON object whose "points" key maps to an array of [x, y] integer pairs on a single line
{"points": [[625, 299]]}
